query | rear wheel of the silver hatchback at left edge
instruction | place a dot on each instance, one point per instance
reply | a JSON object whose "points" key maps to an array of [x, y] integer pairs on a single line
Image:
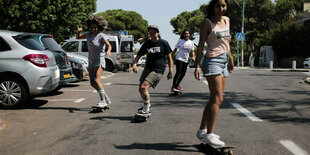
{"points": [[13, 92]]}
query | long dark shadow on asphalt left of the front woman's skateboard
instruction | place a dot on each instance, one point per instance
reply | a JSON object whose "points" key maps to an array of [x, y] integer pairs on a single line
{"points": [[177, 146]]}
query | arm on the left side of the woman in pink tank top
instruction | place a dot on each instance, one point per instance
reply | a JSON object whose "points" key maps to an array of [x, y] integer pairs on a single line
{"points": [[204, 32]]}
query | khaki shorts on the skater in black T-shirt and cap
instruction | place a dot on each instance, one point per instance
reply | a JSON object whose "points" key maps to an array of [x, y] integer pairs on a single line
{"points": [[150, 76]]}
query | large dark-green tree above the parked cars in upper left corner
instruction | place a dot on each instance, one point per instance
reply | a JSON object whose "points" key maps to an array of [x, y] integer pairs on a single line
{"points": [[60, 18]]}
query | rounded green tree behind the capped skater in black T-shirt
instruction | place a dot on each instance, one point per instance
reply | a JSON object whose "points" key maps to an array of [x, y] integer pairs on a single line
{"points": [[126, 20]]}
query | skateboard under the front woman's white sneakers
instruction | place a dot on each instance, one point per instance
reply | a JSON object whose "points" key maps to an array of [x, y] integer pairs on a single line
{"points": [[217, 150]]}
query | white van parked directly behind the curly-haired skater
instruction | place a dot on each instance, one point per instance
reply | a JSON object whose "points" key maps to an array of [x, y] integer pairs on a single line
{"points": [[79, 46]]}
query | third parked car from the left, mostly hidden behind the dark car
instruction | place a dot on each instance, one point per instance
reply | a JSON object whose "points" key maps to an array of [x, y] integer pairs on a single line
{"points": [[78, 73]]}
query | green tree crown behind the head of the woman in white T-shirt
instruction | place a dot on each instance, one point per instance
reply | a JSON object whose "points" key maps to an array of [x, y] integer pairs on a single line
{"points": [[189, 20]]}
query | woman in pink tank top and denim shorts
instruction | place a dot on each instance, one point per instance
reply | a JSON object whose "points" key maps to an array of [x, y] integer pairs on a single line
{"points": [[215, 66]]}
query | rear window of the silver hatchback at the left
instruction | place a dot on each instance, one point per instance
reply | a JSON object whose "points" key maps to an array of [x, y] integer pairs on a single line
{"points": [[28, 42]]}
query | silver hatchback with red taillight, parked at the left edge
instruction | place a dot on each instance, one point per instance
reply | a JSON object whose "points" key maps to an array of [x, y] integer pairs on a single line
{"points": [[26, 69]]}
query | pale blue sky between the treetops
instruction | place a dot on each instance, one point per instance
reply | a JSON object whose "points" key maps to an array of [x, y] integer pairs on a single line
{"points": [[158, 12]]}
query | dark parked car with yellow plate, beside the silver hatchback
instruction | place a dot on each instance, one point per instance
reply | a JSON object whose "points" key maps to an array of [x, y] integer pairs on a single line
{"points": [[61, 57]]}
